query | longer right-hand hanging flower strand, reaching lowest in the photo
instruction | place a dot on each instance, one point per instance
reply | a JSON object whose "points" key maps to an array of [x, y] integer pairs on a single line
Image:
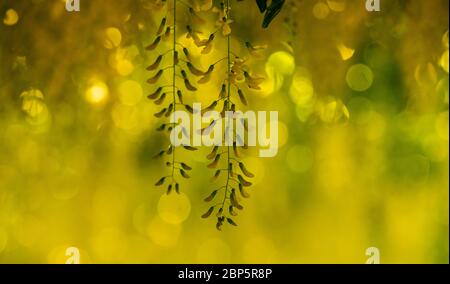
{"points": [[237, 174]]}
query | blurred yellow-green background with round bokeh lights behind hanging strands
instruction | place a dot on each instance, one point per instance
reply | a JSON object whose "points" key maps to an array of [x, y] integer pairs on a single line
{"points": [[364, 136]]}
